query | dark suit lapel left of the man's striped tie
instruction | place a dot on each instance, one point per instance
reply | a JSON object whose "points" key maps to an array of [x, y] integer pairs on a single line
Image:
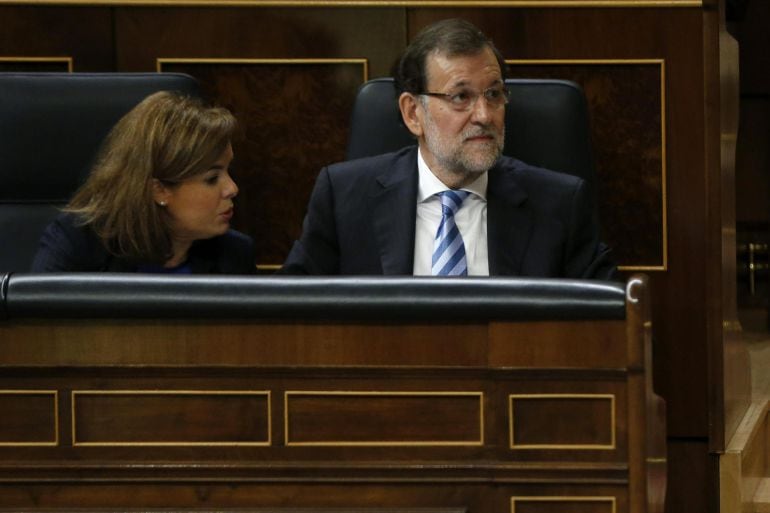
{"points": [[394, 212]]}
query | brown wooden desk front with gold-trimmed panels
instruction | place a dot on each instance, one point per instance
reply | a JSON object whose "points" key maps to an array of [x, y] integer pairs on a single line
{"points": [[471, 416]]}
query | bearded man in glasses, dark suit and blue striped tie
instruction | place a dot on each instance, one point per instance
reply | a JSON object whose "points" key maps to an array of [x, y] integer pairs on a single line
{"points": [[453, 205]]}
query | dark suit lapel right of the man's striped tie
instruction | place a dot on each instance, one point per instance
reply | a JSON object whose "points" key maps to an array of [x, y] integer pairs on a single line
{"points": [[509, 222]]}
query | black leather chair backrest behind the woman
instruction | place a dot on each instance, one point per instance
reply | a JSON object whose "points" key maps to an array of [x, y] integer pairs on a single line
{"points": [[51, 126]]}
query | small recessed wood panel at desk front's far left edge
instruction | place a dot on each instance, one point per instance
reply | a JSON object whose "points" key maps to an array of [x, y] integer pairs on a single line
{"points": [[28, 417]]}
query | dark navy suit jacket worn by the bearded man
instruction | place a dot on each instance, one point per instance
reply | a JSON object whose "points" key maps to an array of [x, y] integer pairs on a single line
{"points": [[362, 213]]}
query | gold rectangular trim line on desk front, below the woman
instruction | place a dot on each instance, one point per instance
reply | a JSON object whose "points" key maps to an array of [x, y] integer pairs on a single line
{"points": [[265, 393]]}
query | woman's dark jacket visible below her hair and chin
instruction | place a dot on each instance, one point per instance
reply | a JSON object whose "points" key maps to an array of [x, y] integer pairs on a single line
{"points": [[66, 245]]}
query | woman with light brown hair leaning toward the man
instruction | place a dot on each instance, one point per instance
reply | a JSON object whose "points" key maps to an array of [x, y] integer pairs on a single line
{"points": [[159, 197]]}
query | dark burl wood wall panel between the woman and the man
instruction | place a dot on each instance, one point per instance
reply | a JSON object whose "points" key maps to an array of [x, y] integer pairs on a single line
{"points": [[294, 117]]}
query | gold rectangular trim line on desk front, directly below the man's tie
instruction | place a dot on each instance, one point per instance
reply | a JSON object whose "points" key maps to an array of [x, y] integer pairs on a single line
{"points": [[366, 393]]}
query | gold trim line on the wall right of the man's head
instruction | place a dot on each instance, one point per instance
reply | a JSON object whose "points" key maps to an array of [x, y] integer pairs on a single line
{"points": [[663, 170]]}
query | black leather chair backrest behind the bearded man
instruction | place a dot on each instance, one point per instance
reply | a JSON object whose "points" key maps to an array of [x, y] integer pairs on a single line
{"points": [[546, 124]]}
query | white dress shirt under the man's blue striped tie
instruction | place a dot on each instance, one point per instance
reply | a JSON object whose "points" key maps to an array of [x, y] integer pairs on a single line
{"points": [[471, 220]]}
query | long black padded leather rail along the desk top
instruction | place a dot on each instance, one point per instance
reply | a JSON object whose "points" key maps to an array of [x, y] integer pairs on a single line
{"points": [[74, 295]]}
